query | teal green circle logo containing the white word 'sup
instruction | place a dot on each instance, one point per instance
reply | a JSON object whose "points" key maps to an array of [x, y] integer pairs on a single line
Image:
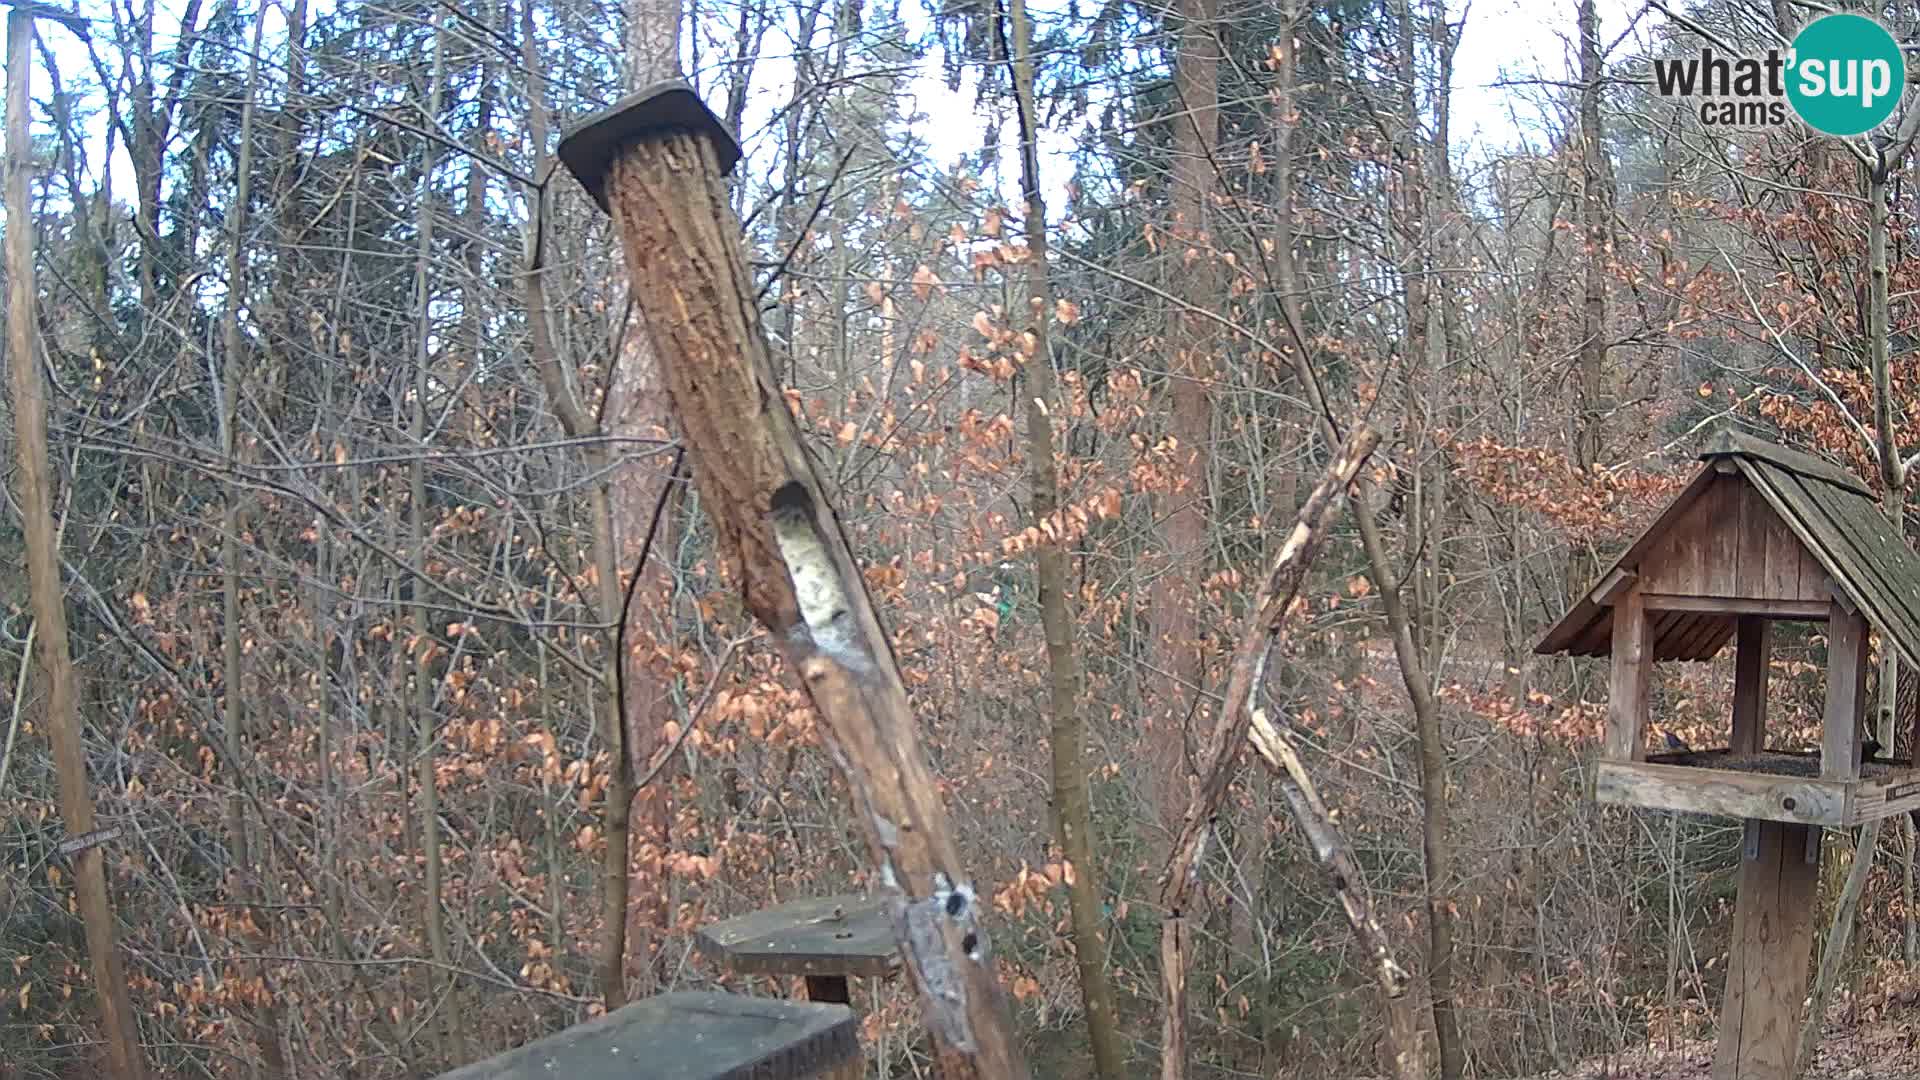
{"points": [[1846, 74]]}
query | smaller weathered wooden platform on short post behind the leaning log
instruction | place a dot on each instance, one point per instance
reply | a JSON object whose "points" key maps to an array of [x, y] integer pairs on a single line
{"points": [[827, 941]]}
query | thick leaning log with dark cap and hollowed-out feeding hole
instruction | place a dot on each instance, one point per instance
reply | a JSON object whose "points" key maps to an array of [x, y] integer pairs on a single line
{"points": [[656, 162]]}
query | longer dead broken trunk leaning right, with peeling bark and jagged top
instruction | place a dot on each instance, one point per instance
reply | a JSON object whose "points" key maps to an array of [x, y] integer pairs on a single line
{"points": [[1220, 754]]}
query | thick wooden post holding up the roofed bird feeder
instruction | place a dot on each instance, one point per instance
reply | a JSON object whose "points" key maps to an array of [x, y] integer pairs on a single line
{"points": [[1767, 962]]}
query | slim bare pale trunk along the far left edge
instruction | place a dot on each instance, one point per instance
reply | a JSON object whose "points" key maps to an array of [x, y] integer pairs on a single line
{"points": [[118, 1021]]}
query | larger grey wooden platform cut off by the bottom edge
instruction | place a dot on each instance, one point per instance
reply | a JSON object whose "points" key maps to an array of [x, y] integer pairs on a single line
{"points": [[692, 1037]]}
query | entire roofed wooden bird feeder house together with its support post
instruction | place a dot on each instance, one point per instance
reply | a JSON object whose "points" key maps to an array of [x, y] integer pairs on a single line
{"points": [[1762, 535]]}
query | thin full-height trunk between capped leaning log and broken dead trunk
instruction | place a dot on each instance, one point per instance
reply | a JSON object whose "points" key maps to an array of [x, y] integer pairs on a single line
{"points": [[1072, 800]]}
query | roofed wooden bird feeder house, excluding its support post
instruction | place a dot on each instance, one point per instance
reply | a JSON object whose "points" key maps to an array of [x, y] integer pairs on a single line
{"points": [[1762, 535]]}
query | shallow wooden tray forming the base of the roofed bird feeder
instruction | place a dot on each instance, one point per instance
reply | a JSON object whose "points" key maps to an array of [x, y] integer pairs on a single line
{"points": [[1769, 785]]}
